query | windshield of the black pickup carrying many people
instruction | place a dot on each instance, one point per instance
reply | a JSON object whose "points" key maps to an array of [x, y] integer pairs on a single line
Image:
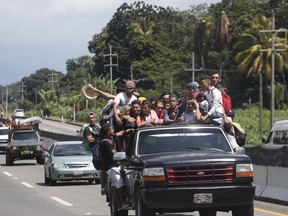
{"points": [[182, 139]]}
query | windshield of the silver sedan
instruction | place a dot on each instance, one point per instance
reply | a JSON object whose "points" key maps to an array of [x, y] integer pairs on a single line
{"points": [[70, 149]]}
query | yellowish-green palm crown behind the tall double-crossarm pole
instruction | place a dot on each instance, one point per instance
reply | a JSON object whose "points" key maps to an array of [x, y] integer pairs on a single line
{"points": [[249, 55]]}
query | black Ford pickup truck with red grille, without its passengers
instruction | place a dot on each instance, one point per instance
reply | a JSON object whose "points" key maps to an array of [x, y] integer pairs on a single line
{"points": [[185, 168]]}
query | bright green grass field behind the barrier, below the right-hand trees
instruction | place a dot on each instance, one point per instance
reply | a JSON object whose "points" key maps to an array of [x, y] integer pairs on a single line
{"points": [[249, 118]]}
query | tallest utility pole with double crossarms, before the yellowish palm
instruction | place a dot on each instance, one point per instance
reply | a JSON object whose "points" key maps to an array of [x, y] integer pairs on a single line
{"points": [[273, 31]]}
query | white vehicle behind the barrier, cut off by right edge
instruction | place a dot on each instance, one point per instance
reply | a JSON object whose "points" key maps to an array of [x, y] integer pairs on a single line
{"points": [[278, 134]]}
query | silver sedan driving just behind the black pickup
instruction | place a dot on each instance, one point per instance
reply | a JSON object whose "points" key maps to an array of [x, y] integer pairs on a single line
{"points": [[68, 161]]}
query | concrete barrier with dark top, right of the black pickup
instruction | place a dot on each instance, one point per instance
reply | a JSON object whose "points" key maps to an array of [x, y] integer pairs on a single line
{"points": [[270, 172]]}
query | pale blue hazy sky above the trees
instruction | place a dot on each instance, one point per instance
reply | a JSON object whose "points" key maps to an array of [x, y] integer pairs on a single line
{"points": [[39, 34]]}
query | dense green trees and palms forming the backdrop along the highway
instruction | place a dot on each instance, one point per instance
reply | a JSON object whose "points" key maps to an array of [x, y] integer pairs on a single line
{"points": [[154, 46]]}
